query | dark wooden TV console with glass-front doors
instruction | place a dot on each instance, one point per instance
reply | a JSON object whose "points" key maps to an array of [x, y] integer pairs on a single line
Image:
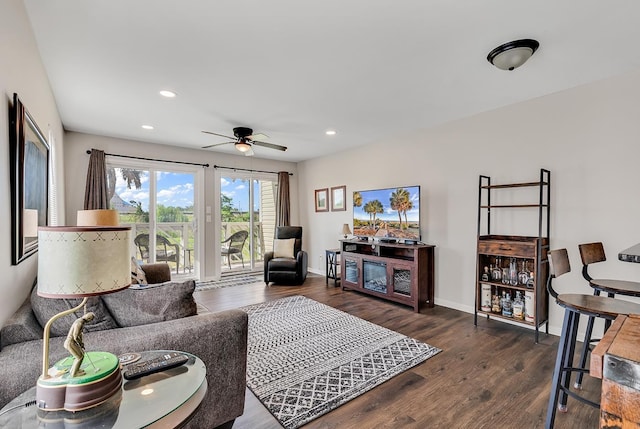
{"points": [[401, 273]]}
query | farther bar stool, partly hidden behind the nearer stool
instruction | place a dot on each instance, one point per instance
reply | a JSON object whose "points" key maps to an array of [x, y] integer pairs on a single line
{"points": [[592, 253]]}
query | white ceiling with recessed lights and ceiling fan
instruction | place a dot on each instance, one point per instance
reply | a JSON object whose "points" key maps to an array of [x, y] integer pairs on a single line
{"points": [[291, 69]]}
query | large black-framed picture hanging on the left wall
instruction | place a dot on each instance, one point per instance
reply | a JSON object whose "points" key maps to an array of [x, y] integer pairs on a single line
{"points": [[29, 181]]}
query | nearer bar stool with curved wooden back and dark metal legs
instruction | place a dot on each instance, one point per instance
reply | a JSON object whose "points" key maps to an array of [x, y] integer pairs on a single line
{"points": [[575, 305]]}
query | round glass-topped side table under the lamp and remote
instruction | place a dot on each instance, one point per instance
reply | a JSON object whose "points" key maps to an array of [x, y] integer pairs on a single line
{"points": [[164, 399]]}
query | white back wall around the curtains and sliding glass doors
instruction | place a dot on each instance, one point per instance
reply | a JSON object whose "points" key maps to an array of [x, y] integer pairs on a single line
{"points": [[76, 145]]}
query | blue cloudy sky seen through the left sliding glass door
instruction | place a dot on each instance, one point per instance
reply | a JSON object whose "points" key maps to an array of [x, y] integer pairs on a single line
{"points": [[173, 189]]}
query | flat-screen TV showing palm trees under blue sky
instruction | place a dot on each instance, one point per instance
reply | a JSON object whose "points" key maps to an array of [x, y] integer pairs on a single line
{"points": [[391, 212]]}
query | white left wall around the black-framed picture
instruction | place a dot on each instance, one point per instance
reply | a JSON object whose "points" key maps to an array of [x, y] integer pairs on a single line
{"points": [[21, 71]]}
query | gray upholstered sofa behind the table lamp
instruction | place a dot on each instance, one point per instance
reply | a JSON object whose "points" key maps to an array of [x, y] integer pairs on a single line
{"points": [[219, 339]]}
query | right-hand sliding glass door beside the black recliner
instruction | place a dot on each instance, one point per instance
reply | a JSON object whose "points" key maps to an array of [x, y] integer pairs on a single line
{"points": [[247, 219]]}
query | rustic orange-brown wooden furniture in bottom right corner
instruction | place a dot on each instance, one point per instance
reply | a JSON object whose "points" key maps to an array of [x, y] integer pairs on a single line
{"points": [[616, 360]]}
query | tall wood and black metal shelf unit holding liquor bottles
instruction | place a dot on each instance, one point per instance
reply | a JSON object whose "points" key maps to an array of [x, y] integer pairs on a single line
{"points": [[529, 253]]}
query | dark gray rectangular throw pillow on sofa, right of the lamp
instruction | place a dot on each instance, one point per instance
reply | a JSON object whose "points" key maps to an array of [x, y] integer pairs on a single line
{"points": [[141, 305]]}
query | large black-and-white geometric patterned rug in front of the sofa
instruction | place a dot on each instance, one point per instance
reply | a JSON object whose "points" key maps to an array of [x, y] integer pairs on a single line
{"points": [[306, 358]]}
